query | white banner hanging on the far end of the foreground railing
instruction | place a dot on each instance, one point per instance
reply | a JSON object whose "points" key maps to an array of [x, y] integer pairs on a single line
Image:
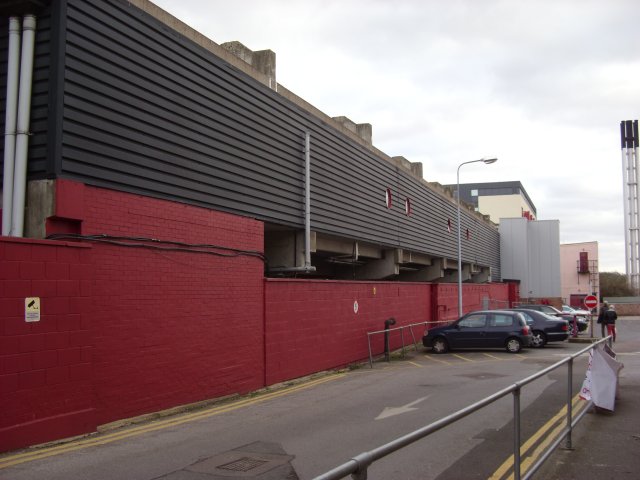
{"points": [[601, 380]]}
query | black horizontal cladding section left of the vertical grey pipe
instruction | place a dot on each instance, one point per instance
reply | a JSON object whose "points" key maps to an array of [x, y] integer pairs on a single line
{"points": [[146, 110]]}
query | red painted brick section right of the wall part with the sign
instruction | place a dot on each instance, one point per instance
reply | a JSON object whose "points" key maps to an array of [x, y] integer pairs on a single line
{"points": [[172, 328]]}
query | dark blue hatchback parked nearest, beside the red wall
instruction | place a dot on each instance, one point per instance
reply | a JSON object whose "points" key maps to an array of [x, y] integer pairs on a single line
{"points": [[481, 329]]}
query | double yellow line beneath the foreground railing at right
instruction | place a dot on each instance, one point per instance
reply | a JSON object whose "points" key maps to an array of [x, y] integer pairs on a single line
{"points": [[552, 430]]}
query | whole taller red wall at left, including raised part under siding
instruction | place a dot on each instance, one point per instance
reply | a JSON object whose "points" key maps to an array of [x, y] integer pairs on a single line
{"points": [[125, 331]]}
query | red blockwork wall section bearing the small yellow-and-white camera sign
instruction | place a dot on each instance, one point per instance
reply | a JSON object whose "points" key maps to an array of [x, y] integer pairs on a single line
{"points": [[46, 376]]}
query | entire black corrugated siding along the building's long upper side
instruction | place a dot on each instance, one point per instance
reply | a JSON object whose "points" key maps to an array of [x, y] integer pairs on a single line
{"points": [[148, 111]]}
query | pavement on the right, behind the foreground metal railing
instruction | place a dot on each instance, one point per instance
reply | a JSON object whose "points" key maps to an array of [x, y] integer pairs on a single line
{"points": [[606, 444]]}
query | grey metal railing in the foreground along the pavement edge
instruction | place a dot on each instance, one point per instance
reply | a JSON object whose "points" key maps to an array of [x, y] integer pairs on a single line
{"points": [[357, 466]]}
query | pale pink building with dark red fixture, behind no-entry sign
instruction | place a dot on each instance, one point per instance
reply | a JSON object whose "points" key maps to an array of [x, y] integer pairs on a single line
{"points": [[580, 275]]}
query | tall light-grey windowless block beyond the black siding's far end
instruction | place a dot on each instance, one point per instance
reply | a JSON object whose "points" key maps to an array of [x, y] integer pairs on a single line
{"points": [[530, 252]]}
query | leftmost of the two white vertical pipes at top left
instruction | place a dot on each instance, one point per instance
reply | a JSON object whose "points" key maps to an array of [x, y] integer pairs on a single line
{"points": [[13, 67]]}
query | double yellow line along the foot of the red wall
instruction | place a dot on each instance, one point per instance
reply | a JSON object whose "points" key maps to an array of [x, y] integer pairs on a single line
{"points": [[101, 439]]}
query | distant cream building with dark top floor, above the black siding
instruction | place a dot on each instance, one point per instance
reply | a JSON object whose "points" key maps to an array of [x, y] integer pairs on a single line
{"points": [[498, 199]]}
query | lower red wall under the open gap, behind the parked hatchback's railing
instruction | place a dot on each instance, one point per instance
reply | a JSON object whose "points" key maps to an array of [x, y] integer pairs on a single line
{"points": [[312, 326]]}
